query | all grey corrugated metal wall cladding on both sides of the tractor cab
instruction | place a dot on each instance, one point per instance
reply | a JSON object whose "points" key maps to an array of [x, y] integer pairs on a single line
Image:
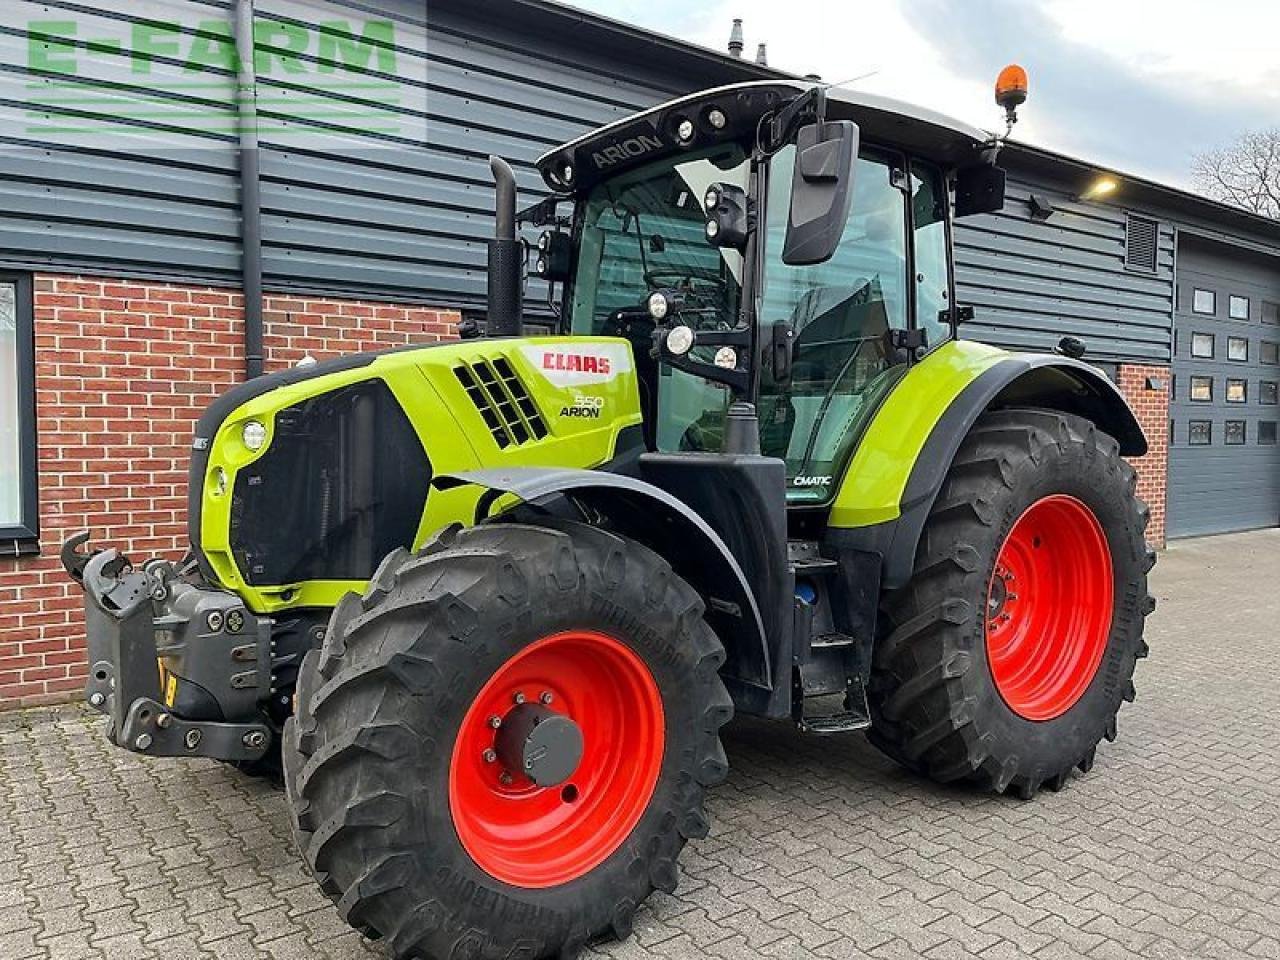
{"points": [[377, 122]]}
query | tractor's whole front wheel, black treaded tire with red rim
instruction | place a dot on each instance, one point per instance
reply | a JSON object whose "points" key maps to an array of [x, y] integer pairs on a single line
{"points": [[409, 806]]}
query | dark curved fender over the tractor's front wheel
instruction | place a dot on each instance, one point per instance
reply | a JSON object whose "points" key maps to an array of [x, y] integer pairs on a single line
{"points": [[673, 529]]}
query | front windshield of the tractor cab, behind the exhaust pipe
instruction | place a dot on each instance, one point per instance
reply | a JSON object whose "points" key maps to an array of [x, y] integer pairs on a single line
{"points": [[643, 232]]}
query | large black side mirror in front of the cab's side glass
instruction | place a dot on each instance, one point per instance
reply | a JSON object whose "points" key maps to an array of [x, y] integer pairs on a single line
{"points": [[822, 191]]}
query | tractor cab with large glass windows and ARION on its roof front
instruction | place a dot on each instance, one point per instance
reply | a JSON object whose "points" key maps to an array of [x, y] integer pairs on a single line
{"points": [[687, 240]]}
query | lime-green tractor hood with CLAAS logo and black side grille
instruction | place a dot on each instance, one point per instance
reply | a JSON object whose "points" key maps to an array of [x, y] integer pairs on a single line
{"points": [[301, 482]]}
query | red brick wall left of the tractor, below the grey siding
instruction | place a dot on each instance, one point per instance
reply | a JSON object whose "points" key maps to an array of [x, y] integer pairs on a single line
{"points": [[124, 371]]}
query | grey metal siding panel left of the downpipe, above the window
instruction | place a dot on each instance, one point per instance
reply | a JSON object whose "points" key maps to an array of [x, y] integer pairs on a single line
{"points": [[112, 166]]}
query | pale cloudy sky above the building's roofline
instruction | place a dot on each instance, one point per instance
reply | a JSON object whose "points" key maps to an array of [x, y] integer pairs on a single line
{"points": [[1137, 85]]}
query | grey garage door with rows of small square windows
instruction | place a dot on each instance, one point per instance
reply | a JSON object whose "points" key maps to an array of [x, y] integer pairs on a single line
{"points": [[1224, 463]]}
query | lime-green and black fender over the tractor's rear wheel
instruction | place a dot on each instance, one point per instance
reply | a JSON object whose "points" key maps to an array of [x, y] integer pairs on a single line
{"points": [[898, 472]]}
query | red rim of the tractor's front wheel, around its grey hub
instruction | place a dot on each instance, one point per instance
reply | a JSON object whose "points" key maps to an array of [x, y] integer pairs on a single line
{"points": [[533, 836]]}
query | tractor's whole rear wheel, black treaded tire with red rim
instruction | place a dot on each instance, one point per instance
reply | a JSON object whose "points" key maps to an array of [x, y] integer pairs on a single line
{"points": [[1005, 660]]}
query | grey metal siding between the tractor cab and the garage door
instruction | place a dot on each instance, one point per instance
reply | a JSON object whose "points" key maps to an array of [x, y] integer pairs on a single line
{"points": [[1032, 282]]}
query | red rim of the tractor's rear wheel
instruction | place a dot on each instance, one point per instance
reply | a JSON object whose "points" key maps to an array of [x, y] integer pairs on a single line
{"points": [[1049, 609]]}
